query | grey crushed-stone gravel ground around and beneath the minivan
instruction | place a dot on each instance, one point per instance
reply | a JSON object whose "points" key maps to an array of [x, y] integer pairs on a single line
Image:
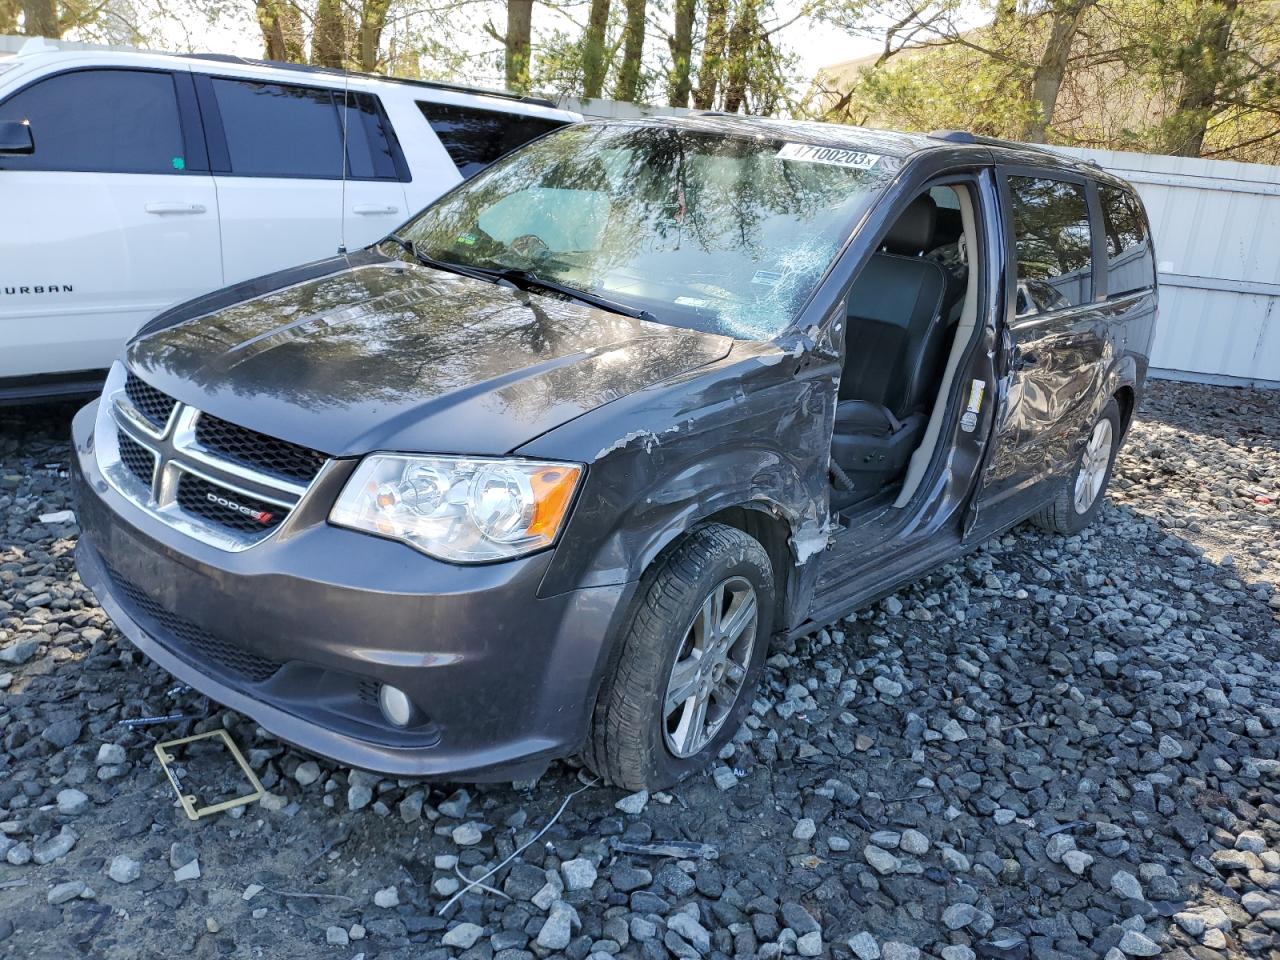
{"points": [[1053, 748]]}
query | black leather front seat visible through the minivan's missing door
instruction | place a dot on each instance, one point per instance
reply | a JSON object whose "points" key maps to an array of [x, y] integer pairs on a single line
{"points": [[893, 355]]}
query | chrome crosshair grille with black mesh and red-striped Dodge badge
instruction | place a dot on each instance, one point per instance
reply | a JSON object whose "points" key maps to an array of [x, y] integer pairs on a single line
{"points": [[223, 484]]}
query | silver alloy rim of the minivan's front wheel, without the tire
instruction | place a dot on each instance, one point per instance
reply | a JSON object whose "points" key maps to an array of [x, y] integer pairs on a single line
{"points": [[711, 668]]}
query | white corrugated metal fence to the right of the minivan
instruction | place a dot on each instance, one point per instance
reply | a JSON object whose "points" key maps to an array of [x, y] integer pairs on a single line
{"points": [[1218, 243]]}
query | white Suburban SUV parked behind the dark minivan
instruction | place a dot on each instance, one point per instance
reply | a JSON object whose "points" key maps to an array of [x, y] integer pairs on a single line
{"points": [[130, 182]]}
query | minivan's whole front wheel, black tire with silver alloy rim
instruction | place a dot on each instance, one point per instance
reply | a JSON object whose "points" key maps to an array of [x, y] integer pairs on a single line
{"points": [[691, 660]]}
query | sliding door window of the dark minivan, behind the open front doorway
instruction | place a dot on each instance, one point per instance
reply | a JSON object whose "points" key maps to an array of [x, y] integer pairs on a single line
{"points": [[1053, 243]]}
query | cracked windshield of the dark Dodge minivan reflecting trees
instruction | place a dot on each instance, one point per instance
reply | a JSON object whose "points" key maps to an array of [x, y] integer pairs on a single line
{"points": [[724, 235]]}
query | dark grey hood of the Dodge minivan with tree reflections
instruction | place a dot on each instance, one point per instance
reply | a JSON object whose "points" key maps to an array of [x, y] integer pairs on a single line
{"points": [[401, 358]]}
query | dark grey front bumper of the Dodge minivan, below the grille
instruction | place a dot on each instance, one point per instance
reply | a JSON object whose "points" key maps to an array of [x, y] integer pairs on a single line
{"points": [[299, 633]]}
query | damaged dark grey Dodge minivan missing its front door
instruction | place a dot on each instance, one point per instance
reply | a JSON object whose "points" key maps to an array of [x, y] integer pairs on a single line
{"points": [[547, 470]]}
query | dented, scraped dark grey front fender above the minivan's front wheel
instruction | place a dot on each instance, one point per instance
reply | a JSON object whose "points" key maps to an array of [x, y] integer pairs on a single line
{"points": [[755, 432]]}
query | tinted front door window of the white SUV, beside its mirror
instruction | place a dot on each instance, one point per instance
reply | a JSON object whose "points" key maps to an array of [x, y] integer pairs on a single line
{"points": [[100, 122]]}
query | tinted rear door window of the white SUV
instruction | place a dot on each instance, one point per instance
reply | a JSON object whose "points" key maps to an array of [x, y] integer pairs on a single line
{"points": [[276, 130]]}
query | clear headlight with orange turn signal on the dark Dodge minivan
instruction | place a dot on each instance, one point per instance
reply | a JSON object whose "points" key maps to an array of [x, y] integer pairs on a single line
{"points": [[467, 510]]}
